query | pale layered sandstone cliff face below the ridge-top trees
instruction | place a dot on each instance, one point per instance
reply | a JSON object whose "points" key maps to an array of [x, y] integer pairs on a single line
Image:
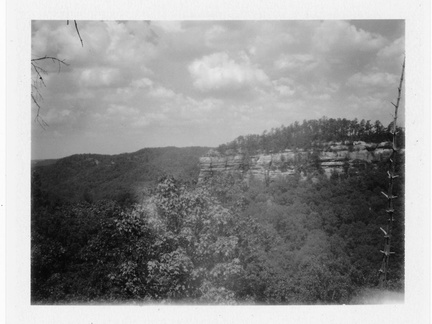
{"points": [[332, 157]]}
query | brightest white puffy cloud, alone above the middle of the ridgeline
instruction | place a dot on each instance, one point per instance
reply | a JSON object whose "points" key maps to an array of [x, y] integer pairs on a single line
{"points": [[218, 71]]}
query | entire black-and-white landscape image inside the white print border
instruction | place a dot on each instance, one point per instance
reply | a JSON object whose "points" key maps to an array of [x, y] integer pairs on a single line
{"points": [[218, 162]]}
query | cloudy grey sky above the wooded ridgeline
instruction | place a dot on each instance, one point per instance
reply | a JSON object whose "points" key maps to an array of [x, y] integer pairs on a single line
{"points": [[137, 84]]}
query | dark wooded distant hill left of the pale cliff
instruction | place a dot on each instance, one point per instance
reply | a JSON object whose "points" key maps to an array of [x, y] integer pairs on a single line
{"points": [[120, 177]]}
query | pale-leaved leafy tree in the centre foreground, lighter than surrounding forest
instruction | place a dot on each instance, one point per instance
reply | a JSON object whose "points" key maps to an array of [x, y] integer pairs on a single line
{"points": [[198, 249]]}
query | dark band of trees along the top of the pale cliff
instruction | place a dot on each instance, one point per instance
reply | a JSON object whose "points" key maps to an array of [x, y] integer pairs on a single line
{"points": [[305, 135]]}
